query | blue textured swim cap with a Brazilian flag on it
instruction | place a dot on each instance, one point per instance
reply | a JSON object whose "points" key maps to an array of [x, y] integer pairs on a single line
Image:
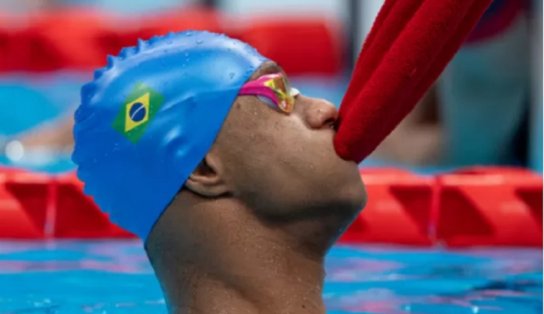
{"points": [[149, 118]]}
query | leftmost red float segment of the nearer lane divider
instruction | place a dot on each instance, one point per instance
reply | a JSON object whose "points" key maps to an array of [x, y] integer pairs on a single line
{"points": [[23, 204]]}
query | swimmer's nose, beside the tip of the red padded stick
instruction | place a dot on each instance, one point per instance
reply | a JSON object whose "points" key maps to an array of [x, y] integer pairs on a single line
{"points": [[317, 113]]}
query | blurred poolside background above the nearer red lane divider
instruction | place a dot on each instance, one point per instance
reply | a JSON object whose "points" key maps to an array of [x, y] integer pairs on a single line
{"points": [[486, 108]]}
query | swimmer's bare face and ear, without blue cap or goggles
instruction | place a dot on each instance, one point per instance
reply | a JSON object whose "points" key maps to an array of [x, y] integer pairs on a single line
{"points": [[281, 165]]}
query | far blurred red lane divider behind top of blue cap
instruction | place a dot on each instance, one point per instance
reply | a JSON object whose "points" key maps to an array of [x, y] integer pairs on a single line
{"points": [[82, 38]]}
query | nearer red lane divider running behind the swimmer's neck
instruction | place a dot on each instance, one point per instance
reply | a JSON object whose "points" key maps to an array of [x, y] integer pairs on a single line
{"points": [[474, 206]]}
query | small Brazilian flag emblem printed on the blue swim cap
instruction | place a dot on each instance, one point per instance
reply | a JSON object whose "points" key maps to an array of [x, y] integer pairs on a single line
{"points": [[137, 112]]}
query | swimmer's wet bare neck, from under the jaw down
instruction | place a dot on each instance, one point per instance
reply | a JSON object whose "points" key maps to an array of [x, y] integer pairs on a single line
{"points": [[241, 268]]}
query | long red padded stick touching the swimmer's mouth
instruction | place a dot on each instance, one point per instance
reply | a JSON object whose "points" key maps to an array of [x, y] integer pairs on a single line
{"points": [[409, 45]]}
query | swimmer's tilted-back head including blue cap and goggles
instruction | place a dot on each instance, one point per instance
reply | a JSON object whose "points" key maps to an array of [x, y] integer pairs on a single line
{"points": [[169, 119]]}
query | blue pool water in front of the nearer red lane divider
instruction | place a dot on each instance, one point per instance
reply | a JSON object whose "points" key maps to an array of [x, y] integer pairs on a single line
{"points": [[67, 277]]}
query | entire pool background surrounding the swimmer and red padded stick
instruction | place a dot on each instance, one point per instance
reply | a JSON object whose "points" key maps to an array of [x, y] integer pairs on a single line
{"points": [[417, 248]]}
